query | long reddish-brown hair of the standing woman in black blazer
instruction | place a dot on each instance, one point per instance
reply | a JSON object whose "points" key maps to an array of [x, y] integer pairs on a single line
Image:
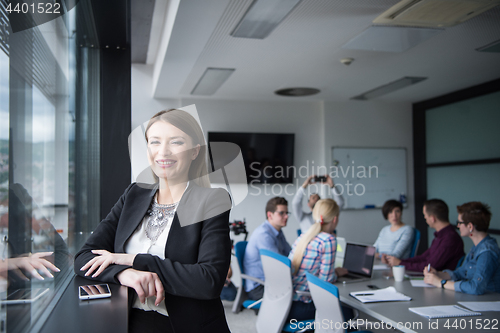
{"points": [[198, 172]]}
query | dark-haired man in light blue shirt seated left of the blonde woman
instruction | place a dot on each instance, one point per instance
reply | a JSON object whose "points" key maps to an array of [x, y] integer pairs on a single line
{"points": [[267, 236]]}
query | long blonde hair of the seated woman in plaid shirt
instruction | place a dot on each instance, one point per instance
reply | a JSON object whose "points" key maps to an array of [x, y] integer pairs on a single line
{"points": [[326, 210]]}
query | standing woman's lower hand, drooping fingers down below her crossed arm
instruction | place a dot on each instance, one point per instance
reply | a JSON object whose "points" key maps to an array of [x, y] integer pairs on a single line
{"points": [[145, 284]]}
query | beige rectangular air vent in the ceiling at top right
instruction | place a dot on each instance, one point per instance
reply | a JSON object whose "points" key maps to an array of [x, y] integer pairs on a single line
{"points": [[434, 13]]}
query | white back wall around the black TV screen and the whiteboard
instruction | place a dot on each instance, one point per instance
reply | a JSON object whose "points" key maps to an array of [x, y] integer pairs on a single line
{"points": [[317, 127]]}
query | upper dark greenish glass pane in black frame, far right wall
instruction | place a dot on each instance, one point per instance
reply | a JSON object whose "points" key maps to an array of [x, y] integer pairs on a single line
{"points": [[466, 130]]}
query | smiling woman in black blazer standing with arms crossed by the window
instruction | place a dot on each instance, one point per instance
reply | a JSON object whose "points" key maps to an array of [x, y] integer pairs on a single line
{"points": [[180, 214]]}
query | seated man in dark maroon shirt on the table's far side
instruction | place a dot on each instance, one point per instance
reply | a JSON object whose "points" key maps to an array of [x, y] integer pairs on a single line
{"points": [[447, 247]]}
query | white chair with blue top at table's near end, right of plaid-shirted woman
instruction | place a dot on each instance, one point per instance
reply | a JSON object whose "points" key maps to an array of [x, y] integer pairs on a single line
{"points": [[326, 299]]}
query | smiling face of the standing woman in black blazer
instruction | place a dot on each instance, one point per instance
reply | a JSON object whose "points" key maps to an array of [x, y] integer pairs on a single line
{"points": [[170, 152]]}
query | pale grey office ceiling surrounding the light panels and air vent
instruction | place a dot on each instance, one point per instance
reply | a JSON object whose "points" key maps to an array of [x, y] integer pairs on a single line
{"points": [[305, 51]]}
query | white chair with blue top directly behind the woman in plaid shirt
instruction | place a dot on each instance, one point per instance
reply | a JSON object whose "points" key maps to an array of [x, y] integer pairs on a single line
{"points": [[278, 295]]}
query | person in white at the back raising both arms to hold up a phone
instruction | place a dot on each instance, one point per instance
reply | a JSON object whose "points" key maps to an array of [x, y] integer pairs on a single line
{"points": [[306, 219]]}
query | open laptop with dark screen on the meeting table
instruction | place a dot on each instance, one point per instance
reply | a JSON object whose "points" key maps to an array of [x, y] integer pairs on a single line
{"points": [[358, 260]]}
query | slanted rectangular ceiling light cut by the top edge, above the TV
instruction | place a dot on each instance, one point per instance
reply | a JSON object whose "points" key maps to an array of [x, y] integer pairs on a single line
{"points": [[263, 17]]}
